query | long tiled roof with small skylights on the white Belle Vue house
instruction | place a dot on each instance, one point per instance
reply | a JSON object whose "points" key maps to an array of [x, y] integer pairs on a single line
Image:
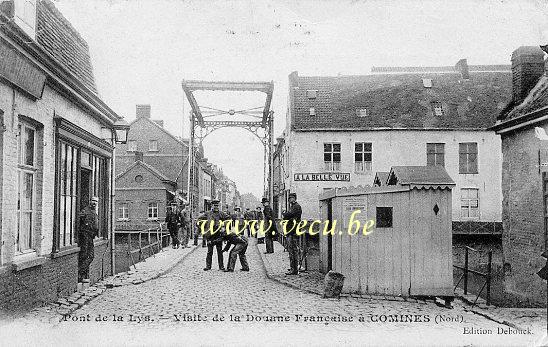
{"points": [[399, 101]]}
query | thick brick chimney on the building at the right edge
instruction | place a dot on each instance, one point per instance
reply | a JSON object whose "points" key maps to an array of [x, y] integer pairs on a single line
{"points": [[527, 68]]}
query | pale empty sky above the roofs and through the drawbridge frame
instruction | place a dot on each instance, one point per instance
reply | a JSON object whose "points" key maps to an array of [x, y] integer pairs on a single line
{"points": [[143, 49]]}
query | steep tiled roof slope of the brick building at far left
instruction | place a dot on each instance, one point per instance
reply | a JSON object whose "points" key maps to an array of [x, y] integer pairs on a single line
{"points": [[59, 38]]}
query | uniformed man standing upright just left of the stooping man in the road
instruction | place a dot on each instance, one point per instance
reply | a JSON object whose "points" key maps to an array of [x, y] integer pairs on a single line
{"points": [[213, 239]]}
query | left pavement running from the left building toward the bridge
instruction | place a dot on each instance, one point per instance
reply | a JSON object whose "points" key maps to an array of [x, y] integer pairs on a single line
{"points": [[146, 270]]}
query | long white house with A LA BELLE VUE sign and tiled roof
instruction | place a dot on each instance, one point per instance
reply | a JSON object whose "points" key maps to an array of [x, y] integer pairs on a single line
{"points": [[342, 130]]}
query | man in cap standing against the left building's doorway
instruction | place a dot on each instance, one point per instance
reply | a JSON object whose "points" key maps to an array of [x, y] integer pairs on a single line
{"points": [[89, 228]]}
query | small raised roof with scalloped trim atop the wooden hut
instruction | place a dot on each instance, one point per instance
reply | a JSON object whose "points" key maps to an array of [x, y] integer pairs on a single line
{"points": [[419, 175]]}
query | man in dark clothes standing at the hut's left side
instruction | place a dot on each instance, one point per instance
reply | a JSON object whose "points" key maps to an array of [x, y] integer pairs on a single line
{"points": [[292, 219]]}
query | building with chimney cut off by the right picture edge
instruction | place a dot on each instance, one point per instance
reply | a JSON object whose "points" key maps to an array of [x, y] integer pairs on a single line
{"points": [[524, 180]]}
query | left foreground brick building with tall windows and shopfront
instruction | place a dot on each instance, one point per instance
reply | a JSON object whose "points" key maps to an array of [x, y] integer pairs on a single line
{"points": [[56, 152]]}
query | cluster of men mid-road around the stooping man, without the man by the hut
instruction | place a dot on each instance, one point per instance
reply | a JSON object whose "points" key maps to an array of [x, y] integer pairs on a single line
{"points": [[215, 240]]}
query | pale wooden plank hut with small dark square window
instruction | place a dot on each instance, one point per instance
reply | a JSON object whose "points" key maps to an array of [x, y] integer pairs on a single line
{"points": [[409, 251]]}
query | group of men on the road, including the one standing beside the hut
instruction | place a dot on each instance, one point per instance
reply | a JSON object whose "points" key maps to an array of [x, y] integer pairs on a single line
{"points": [[215, 220]]}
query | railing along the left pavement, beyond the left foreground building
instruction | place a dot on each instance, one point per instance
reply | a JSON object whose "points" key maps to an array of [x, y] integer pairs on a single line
{"points": [[141, 244]]}
